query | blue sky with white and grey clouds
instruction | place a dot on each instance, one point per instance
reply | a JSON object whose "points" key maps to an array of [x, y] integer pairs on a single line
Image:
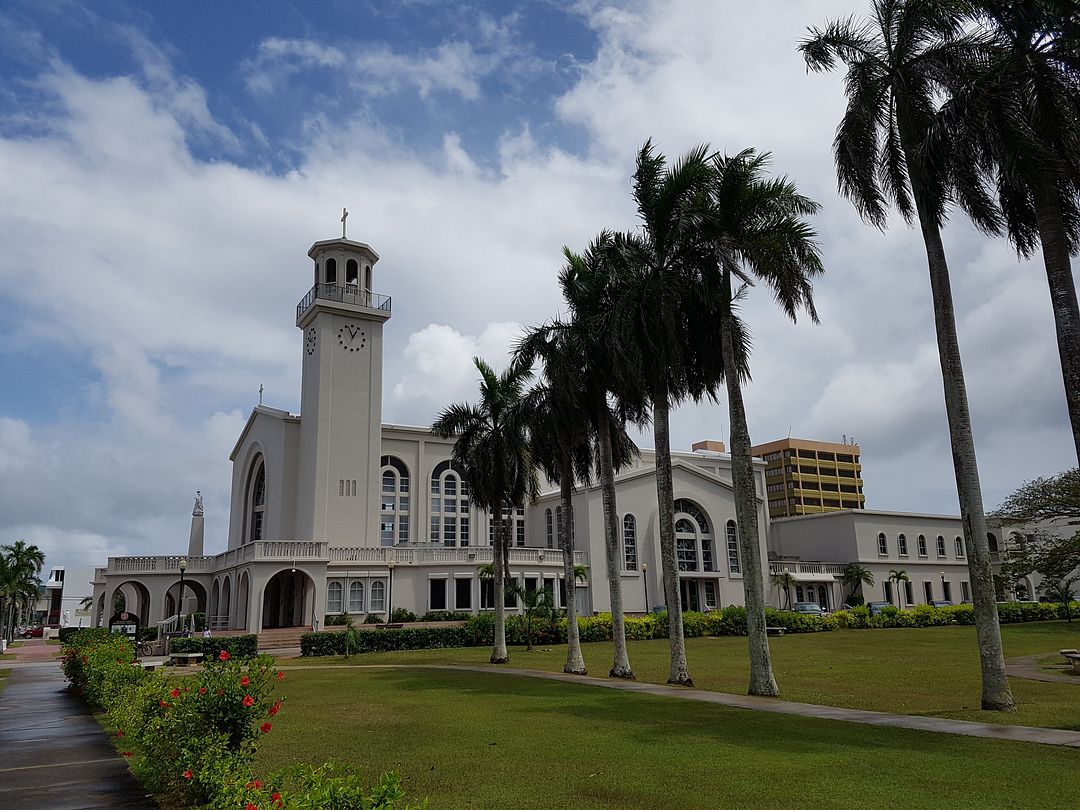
{"points": [[167, 166]]}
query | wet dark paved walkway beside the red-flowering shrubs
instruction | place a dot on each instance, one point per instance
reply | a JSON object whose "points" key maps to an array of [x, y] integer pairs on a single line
{"points": [[56, 754]]}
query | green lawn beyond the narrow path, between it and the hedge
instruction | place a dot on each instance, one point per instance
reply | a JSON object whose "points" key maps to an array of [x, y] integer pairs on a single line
{"points": [[934, 671]]}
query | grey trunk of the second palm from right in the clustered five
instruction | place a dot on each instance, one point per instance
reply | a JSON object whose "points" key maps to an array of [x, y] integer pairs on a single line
{"points": [[666, 502]]}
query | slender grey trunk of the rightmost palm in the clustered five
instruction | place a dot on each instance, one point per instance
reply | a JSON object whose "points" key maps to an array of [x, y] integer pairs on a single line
{"points": [[762, 681]]}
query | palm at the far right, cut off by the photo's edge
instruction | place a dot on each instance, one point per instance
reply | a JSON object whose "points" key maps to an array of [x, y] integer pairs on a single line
{"points": [[1019, 121]]}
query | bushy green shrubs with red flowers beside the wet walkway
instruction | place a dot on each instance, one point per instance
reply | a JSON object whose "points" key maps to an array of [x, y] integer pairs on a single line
{"points": [[194, 739]]}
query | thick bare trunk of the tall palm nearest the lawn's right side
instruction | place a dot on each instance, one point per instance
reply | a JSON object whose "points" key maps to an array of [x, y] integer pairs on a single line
{"points": [[996, 693]]}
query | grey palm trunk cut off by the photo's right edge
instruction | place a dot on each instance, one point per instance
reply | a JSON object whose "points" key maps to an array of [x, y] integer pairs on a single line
{"points": [[1063, 298]]}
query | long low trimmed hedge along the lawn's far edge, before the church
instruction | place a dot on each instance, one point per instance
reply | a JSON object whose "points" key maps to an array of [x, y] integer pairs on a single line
{"points": [[479, 630]]}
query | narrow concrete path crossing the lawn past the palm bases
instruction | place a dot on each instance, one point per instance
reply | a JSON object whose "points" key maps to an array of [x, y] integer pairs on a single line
{"points": [[939, 725]]}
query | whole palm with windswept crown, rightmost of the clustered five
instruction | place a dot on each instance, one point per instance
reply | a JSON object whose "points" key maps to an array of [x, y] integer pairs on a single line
{"points": [[755, 231]]}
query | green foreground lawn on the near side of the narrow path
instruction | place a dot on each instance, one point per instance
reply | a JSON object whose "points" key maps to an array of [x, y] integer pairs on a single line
{"points": [[468, 740]]}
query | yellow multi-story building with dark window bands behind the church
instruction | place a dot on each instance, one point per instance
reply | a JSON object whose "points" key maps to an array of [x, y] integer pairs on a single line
{"points": [[805, 478]]}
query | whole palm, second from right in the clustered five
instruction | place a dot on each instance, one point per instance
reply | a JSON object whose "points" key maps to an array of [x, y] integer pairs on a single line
{"points": [[650, 320]]}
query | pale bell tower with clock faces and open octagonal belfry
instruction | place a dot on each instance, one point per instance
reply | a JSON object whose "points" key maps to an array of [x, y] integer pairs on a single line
{"points": [[342, 398]]}
